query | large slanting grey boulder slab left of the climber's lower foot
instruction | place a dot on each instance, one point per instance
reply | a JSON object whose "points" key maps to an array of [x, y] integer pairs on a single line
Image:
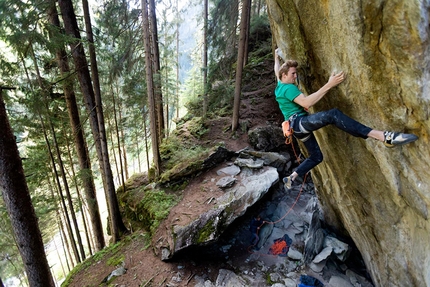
{"points": [[251, 184]]}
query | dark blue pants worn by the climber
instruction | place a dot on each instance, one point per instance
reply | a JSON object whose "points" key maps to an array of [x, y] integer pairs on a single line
{"points": [[303, 127]]}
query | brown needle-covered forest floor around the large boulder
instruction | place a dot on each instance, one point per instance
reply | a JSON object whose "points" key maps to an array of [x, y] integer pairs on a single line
{"points": [[144, 266]]}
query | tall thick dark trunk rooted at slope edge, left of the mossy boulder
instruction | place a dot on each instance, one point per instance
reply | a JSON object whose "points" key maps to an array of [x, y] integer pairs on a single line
{"points": [[95, 109]]}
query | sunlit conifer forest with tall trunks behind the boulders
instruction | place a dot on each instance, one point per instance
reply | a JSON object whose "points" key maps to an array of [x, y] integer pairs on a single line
{"points": [[89, 95]]}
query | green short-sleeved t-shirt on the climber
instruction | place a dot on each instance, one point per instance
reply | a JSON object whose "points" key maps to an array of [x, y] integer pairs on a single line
{"points": [[285, 95]]}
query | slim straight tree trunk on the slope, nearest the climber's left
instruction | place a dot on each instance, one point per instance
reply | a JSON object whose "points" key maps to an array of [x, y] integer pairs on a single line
{"points": [[239, 65]]}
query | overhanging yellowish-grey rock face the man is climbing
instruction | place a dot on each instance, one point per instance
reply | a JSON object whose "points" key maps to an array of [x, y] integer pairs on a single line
{"points": [[379, 196]]}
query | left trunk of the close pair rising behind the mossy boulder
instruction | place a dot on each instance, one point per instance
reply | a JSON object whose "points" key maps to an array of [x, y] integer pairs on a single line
{"points": [[150, 90]]}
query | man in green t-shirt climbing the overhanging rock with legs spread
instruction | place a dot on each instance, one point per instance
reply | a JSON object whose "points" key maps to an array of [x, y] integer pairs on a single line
{"points": [[294, 106]]}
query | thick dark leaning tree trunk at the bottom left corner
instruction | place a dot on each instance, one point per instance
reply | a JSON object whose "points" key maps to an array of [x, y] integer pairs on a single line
{"points": [[18, 204]]}
